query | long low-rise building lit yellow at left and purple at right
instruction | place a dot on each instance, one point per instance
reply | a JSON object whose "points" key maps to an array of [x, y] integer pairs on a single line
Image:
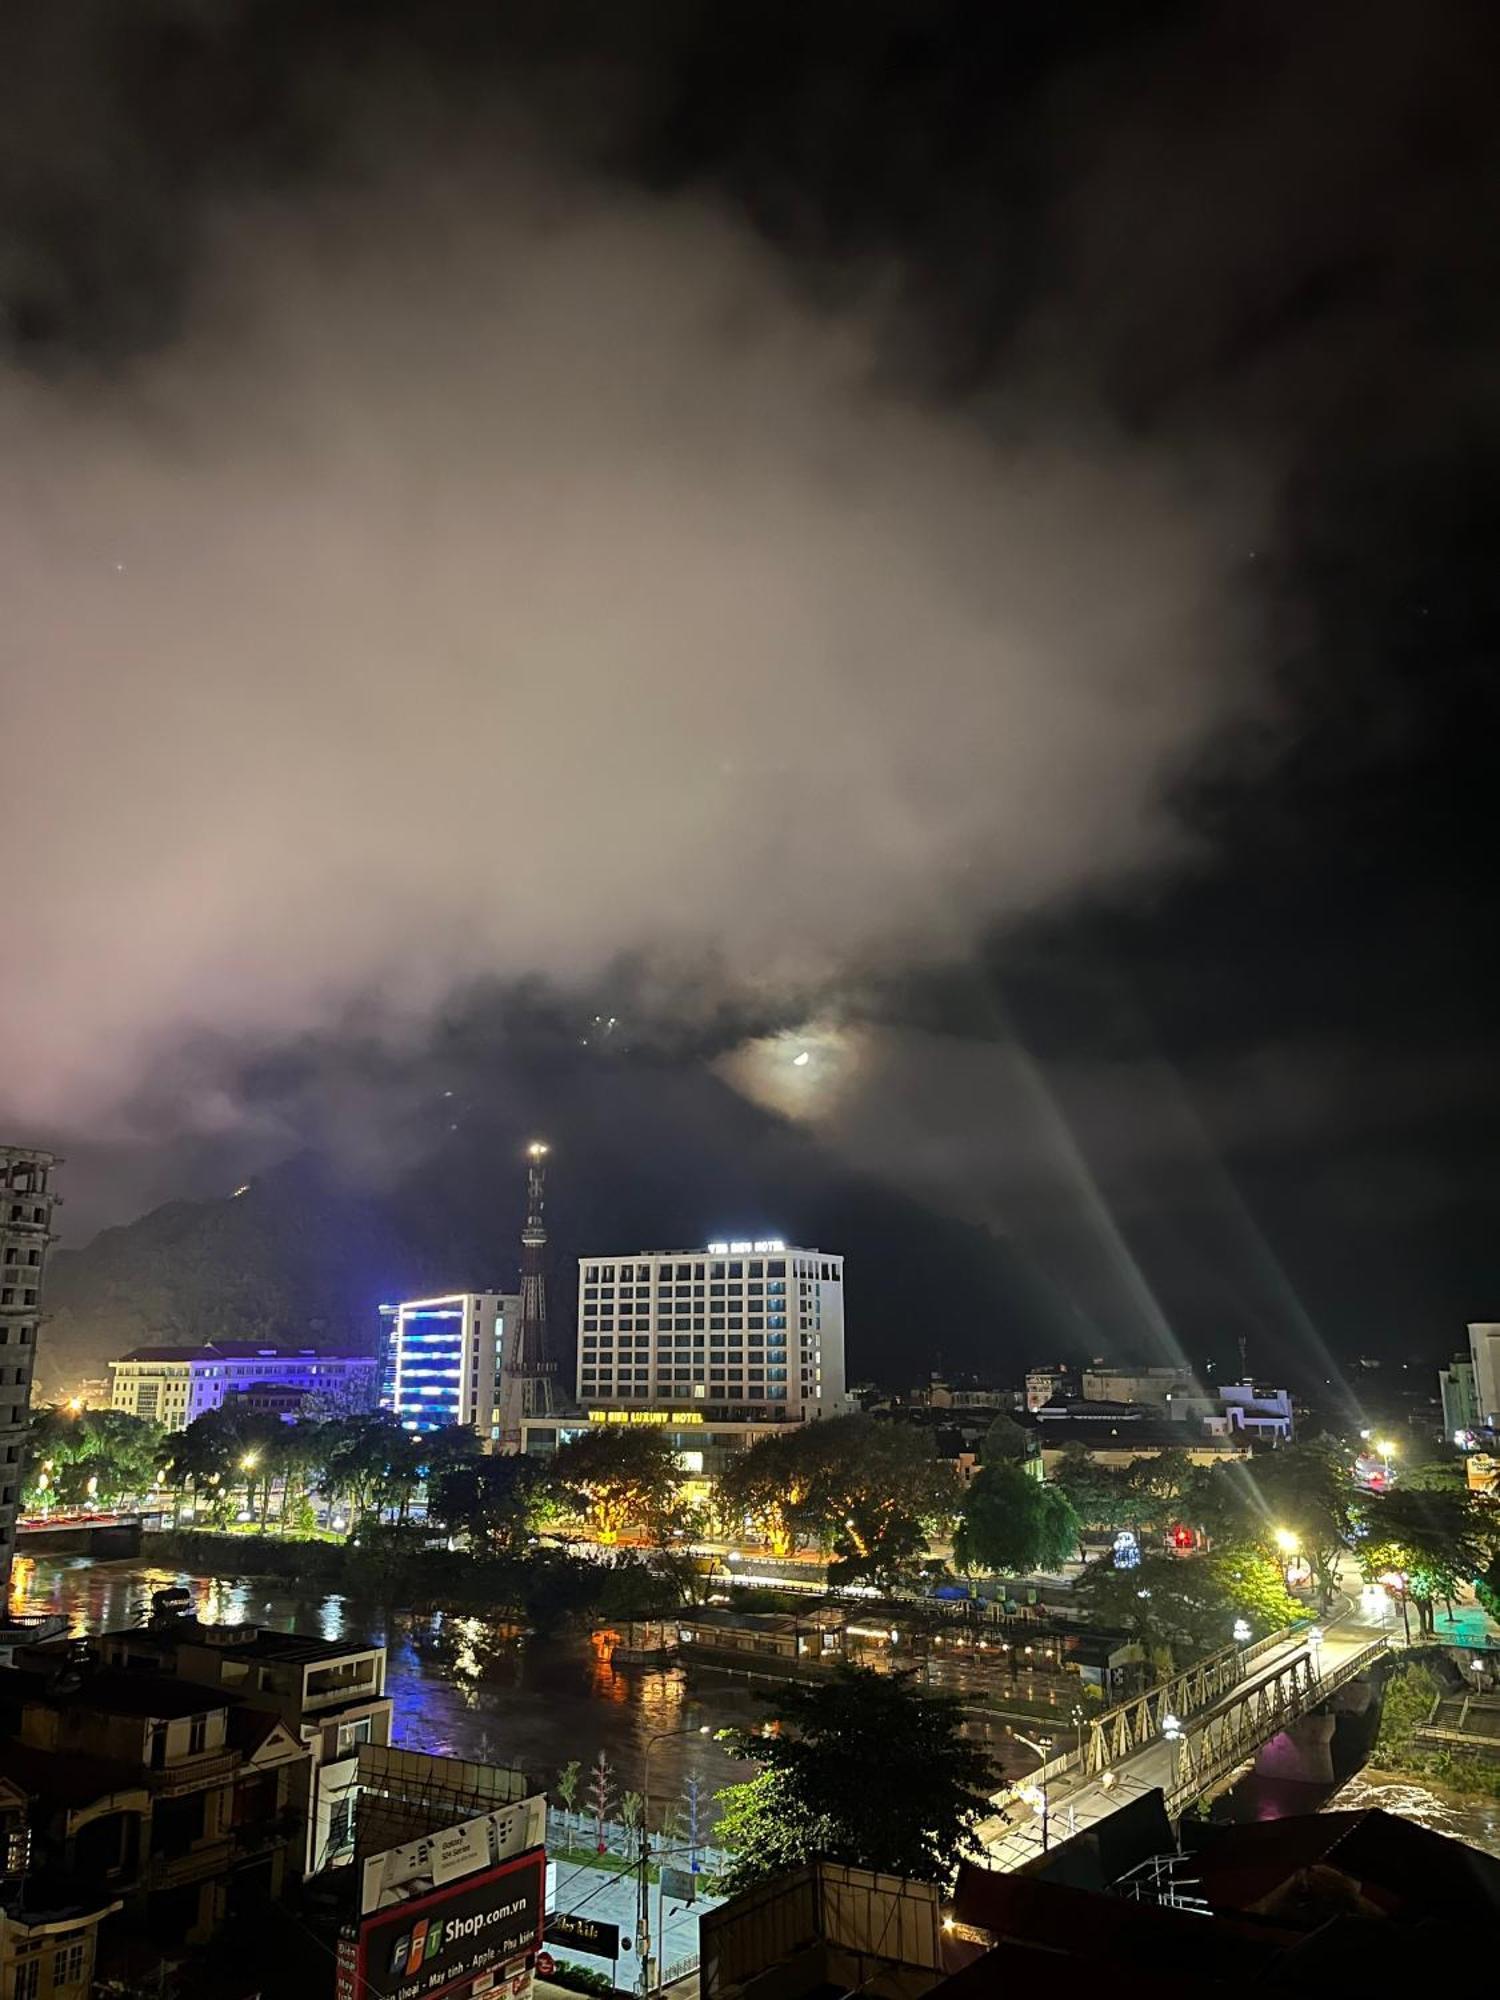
{"points": [[173, 1387]]}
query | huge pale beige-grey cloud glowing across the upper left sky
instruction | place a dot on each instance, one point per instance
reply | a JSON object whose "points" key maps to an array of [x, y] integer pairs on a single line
{"points": [[499, 573]]}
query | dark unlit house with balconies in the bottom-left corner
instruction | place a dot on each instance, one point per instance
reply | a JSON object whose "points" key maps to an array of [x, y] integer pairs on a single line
{"points": [[171, 1799]]}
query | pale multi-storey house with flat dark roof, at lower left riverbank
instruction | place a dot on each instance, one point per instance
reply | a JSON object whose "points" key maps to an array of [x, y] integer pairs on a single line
{"points": [[331, 1695]]}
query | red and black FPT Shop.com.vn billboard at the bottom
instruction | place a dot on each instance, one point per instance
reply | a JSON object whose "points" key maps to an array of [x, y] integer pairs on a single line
{"points": [[417, 1951]]}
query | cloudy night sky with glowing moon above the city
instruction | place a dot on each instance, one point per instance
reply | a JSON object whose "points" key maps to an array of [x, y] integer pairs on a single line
{"points": [[949, 537]]}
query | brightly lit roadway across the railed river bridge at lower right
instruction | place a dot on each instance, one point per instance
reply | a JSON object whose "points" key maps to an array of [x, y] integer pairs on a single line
{"points": [[1075, 1803]]}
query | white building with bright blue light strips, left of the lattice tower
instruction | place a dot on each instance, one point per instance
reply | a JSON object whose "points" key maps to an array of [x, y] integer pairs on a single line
{"points": [[443, 1359]]}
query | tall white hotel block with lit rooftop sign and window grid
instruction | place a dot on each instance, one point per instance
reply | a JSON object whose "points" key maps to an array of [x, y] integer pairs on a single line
{"points": [[737, 1331]]}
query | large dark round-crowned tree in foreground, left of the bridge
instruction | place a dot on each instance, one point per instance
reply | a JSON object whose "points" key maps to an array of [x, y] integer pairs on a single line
{"points": [[865, 1771]]}
